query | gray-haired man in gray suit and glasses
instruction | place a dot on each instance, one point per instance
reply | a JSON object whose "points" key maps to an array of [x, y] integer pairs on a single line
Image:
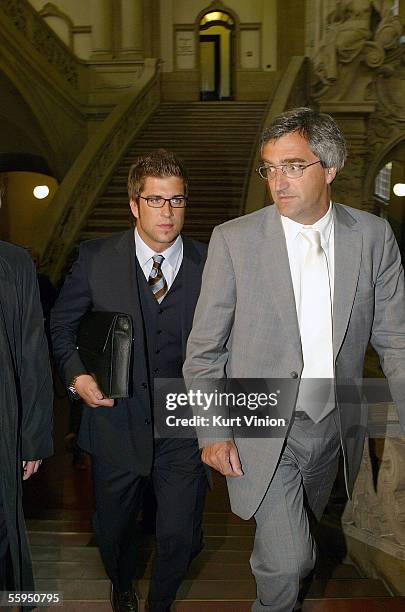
{"points": [[297, 290]]}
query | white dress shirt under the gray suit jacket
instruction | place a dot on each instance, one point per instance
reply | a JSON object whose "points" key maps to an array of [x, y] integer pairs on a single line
{"points": [[296, 250]]}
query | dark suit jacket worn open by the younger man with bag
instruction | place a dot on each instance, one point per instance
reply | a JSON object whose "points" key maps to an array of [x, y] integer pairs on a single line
{"points": [[105, 278]]}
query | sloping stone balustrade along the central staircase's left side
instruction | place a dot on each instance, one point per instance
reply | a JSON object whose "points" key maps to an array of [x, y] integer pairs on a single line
{"points": [[90, 173]]}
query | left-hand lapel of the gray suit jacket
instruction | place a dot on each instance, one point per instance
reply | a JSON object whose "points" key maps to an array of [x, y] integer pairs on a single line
{"points": [[275, 275]]}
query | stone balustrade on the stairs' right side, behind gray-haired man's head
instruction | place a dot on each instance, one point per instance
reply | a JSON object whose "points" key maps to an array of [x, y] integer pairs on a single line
{"points": [[291, 91]]}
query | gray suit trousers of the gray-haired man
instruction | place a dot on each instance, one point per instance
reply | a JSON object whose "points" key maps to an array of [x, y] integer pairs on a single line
{"points": [[284, 551]]}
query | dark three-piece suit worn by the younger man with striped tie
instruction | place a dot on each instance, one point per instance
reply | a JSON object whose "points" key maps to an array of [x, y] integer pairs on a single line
{"points": [[107, 277]]}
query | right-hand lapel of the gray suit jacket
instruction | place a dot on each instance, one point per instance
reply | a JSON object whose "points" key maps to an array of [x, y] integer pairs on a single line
{"points": [[348, 249]]}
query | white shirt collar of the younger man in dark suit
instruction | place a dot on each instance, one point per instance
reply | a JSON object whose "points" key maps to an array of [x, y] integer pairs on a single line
{"points": [[173, 257]]}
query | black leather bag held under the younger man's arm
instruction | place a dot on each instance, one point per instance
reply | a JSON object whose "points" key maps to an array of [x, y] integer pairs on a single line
{"points": [[104, 342]]}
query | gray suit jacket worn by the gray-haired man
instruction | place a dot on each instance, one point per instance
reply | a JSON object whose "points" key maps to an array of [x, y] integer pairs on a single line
{"points": [[245, 326]]}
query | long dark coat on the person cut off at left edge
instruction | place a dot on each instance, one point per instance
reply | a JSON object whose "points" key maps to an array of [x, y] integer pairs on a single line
{"points": [[25, 395]]}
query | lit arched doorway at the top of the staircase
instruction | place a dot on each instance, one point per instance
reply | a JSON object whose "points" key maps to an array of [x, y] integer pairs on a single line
{"points": [[217, 49]]}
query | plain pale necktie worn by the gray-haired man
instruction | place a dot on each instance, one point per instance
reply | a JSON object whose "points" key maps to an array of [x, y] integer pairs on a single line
{"points": [[316, 397]]}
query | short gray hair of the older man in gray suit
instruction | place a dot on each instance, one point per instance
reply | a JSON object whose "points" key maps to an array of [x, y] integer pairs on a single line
{"points": [[324, 137]]}
